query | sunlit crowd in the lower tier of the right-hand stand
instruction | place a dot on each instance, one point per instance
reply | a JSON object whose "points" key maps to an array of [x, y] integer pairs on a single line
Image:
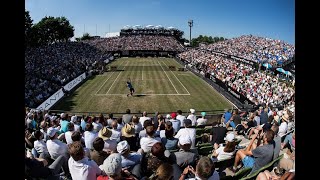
{"points": [[257, 86]]}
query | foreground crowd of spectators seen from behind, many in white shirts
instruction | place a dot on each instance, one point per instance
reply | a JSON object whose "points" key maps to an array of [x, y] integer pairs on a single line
{"points": [[63, 146]]}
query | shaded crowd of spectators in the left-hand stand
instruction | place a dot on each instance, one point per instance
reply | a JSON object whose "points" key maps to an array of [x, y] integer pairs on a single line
{"points": [[48, 68]]}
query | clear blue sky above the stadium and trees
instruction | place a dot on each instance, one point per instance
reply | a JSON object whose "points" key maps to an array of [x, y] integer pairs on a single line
{"points": [[227, 18]]}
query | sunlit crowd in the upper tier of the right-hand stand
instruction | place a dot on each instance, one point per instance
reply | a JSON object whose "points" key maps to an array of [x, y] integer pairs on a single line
{"points": [[257, 49]]}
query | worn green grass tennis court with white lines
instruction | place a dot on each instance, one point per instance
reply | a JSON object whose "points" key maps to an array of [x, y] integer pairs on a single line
{"points": [[156, 89]]}
